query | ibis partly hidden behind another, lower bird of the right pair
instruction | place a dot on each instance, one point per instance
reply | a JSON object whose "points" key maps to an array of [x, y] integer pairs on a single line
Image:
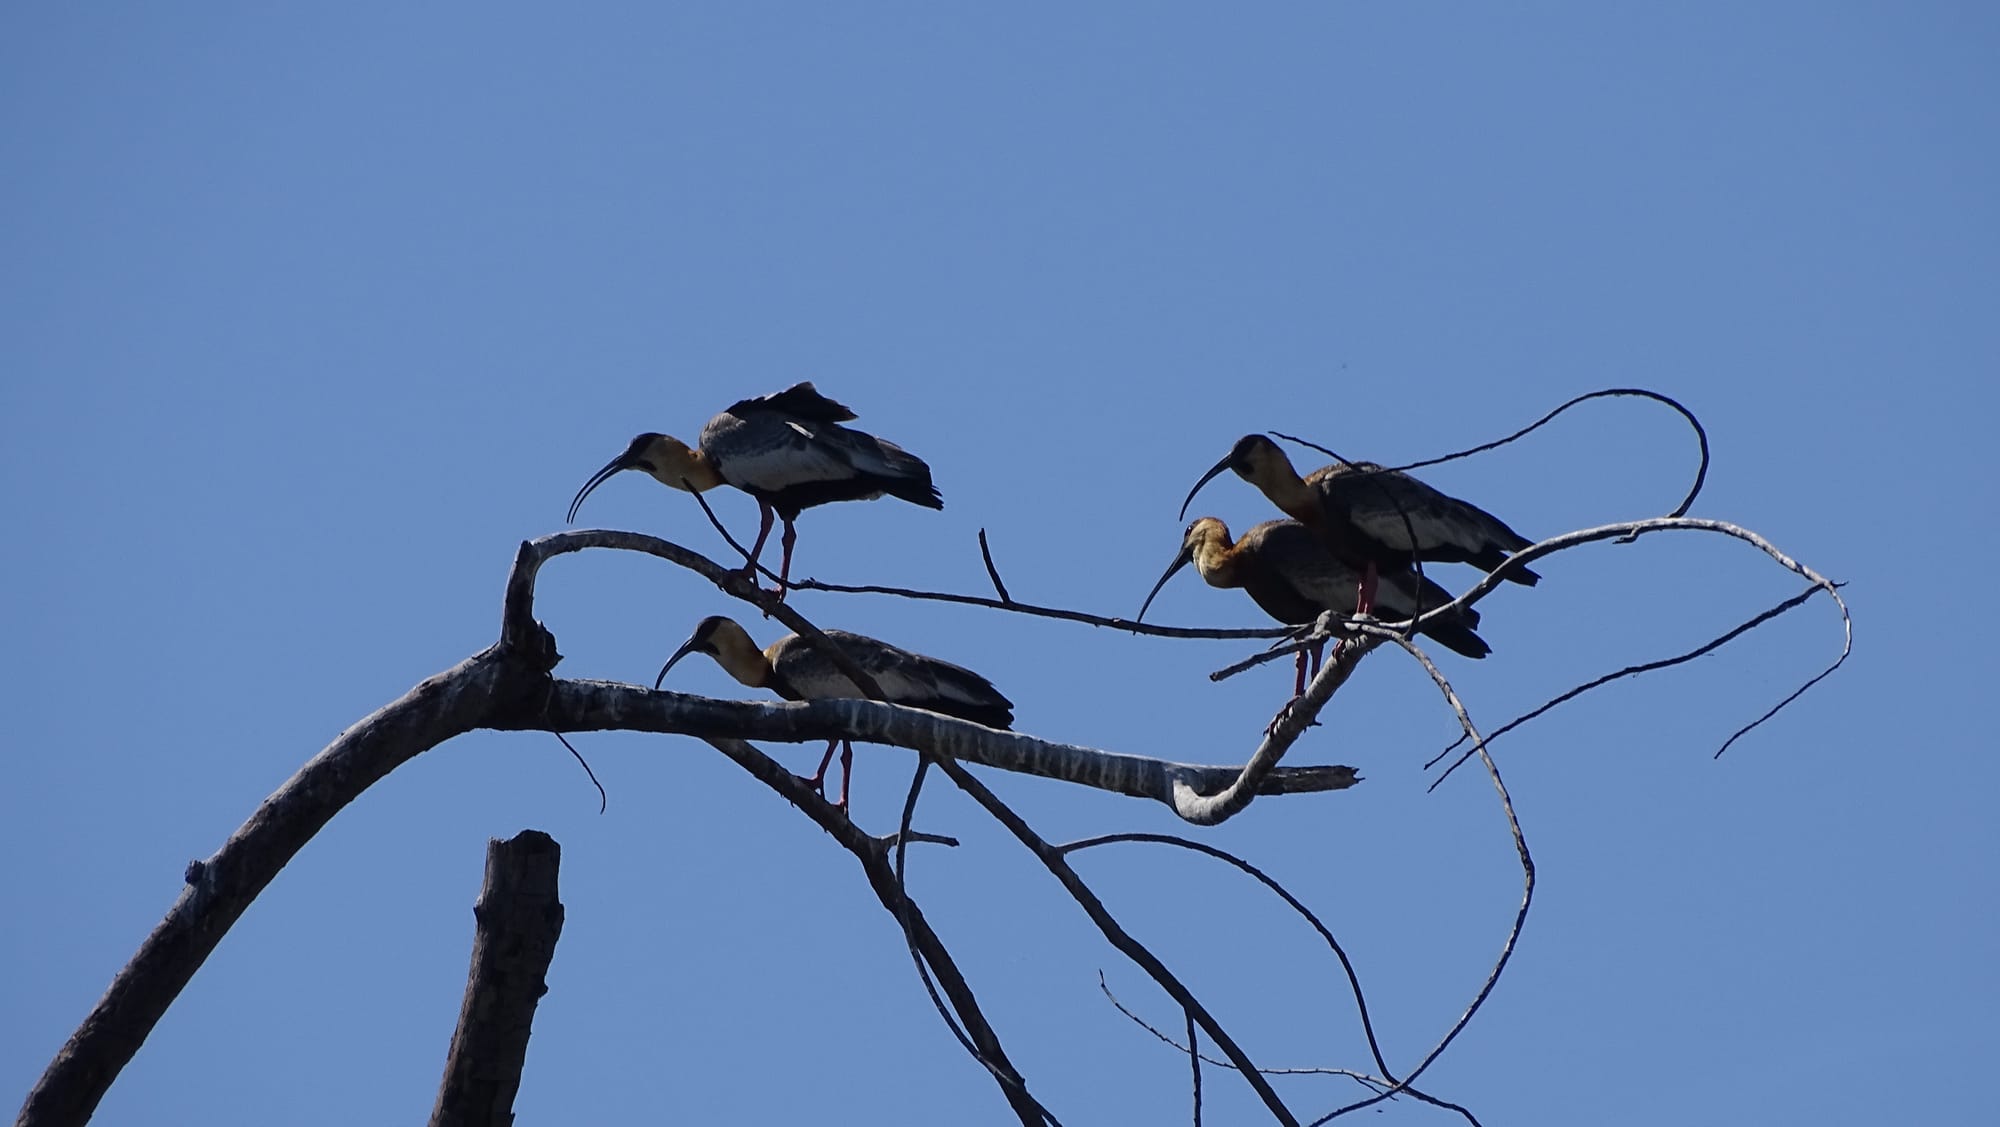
{"points": [[1293, 578]]}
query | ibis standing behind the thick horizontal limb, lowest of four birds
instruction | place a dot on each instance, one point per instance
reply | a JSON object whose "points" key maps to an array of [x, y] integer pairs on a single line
{"points": [[799, 670]]}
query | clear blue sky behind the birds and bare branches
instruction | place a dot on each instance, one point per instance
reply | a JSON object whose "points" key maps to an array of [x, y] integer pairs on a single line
{"points": [[311, 317]]}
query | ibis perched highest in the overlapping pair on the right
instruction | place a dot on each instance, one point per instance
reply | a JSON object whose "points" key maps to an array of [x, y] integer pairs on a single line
{"points": [[1373, 519]]}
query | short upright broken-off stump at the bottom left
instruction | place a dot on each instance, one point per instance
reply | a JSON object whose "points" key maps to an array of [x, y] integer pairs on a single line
{"points": [[517, 926]]}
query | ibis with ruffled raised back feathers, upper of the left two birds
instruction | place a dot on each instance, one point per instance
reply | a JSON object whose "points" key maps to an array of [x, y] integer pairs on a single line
{"points": [[789, 453]]}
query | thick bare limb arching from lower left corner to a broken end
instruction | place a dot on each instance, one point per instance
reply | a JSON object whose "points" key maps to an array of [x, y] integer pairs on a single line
{"points": [[509, 688]]}
